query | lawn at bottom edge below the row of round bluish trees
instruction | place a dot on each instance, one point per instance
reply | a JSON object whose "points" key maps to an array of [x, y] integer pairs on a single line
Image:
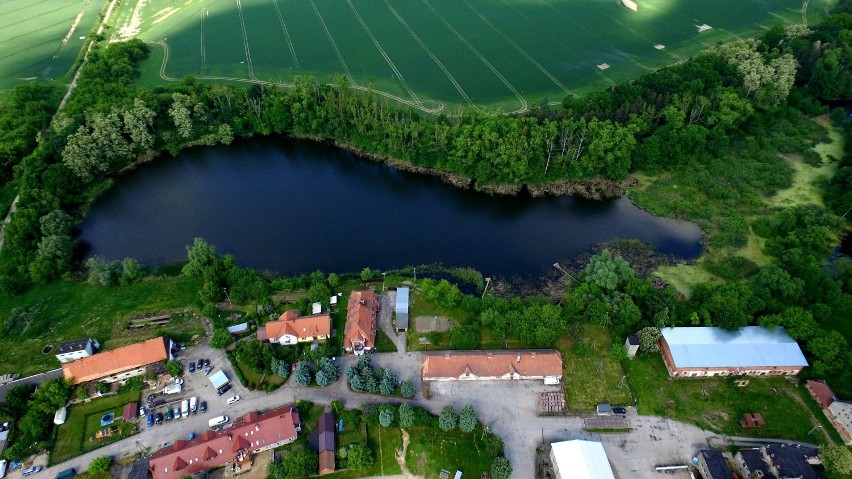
{"points": [[431, 449]]}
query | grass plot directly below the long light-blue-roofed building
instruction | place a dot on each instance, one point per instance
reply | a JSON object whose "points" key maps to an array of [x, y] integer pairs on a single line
{"points": [[717, 404]]}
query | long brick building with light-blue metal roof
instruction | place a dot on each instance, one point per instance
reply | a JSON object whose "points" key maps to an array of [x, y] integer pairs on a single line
{"points": [[710, 351]]}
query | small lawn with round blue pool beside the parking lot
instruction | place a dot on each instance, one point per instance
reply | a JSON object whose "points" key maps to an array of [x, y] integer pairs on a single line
{"points": [[84, 422]]}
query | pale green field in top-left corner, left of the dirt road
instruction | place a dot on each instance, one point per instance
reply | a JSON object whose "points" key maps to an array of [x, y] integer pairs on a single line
{"points": [[41, 39]]}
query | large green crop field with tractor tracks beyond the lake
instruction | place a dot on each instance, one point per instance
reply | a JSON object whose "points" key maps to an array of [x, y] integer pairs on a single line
{"points": [[433, 54]]}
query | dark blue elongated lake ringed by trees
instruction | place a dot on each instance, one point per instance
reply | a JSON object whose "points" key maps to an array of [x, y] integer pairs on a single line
{"points": [[295, 206]]}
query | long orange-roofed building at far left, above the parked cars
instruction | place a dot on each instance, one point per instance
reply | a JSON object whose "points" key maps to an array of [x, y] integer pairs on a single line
{"points": [[121, 363]]}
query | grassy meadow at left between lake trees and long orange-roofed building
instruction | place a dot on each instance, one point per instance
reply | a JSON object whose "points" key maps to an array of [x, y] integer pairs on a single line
{"points": [[63, 310]]}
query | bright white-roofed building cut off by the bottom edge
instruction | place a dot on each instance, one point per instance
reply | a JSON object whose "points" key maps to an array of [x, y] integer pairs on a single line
{"points": [[580, 460]]}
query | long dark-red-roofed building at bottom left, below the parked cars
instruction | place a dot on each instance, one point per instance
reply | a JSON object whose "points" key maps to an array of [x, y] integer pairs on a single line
{"points": [[249, 434]]}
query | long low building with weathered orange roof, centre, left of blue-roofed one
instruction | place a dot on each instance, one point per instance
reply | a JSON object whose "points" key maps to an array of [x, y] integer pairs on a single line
{"points": [[544, 364]]}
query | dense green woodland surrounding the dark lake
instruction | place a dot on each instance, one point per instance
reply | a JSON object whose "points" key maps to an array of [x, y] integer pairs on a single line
{"points": [[707, 131]]}
